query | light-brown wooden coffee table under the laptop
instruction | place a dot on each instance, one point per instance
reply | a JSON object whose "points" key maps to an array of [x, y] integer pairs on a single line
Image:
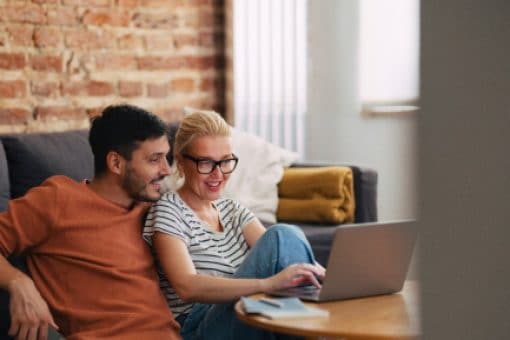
{"points": [[394, 316]]}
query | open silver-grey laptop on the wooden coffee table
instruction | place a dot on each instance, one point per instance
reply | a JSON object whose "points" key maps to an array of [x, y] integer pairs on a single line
{"points": [[366, 259]]}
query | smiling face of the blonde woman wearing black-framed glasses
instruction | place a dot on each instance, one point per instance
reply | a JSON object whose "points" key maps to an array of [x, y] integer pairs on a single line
{"points": [[209, 148]]}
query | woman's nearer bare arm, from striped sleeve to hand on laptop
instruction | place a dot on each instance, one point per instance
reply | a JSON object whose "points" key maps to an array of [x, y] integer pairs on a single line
{"points": [[193, 287]]}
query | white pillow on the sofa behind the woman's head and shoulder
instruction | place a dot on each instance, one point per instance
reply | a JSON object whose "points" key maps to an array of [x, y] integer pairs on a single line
{"points": [[254, 183]]}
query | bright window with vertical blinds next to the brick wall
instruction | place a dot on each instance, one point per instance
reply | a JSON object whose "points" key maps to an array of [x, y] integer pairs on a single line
{"points": [[269, 44]]}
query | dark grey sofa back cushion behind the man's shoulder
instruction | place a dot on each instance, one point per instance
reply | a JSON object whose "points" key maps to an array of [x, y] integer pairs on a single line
{"points": [[34, 157]]}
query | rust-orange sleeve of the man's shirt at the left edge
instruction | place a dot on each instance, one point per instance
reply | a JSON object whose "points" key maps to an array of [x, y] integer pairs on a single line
{"points": [[28, 220]]}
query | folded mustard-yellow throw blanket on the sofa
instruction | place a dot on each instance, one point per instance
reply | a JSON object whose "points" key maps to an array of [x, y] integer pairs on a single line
{"points": [[323, 194]]}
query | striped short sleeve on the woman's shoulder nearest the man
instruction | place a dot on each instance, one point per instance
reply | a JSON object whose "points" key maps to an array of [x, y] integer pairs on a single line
{"points": [[165, 216]]}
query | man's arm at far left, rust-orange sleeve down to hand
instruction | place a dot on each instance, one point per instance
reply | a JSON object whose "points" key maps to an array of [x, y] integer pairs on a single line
{"points": [[26, 224]]}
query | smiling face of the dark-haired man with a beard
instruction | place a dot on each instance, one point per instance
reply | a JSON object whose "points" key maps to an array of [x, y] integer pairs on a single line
{"points": [[143, 174]]}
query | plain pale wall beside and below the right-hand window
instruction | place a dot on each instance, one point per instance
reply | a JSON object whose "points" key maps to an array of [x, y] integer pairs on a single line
{"points": [[336, 131]]}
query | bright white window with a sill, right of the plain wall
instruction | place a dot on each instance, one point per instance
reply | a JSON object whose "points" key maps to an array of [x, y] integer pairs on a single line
{"points": [[389, 55]]}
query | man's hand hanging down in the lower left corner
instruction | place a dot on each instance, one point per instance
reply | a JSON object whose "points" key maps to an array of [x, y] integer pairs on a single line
{"points": [[30, 315]]}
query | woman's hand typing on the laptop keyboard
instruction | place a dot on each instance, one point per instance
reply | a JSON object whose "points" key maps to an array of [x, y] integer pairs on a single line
{"points": [[295, 275]]}
